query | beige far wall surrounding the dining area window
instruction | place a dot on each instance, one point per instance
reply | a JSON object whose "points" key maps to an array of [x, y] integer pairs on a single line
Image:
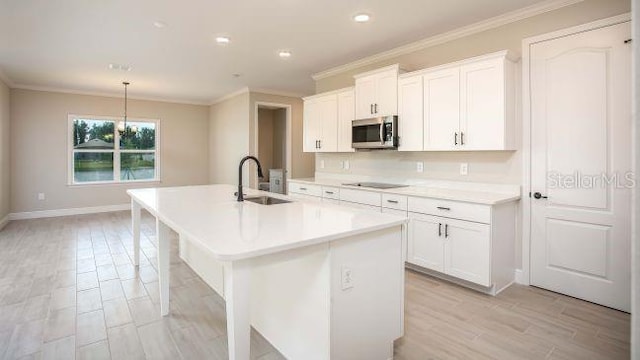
{"points": [[39, 151]]}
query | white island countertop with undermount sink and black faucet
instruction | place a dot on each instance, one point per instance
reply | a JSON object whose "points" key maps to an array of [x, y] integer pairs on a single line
{"points": [[231, 230]]}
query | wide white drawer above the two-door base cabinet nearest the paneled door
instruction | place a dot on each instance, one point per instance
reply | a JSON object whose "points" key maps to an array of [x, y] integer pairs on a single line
{"points": [[451, 209]]}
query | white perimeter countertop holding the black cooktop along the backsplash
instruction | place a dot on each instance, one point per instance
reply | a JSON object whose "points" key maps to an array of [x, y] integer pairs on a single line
{"points": [[483, 196]]}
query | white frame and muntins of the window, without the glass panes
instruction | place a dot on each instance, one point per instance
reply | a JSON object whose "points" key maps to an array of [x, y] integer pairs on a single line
{"points": [[116, 151]]}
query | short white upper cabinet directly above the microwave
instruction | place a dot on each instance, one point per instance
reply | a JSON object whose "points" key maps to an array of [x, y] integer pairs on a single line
{"points": [[376, 93]]}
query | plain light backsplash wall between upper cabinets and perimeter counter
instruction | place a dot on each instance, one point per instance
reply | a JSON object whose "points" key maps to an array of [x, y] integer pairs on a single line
{"points": [[499, 167]]}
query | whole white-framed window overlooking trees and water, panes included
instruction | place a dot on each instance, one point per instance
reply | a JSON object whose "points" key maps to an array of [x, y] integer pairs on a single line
{"points": [[102, 153]]}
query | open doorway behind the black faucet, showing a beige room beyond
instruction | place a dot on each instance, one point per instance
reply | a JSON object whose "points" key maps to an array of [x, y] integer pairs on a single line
{"points": [[273, 123]]}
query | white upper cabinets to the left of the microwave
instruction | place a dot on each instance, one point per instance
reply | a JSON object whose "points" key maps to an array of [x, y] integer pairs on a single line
{"points": [[327, 121]]}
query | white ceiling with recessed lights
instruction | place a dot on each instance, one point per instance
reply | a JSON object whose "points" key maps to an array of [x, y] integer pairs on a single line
{"points": [[68, 44]]}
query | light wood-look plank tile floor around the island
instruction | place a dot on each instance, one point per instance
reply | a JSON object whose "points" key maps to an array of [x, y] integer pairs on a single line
{"points": [[68, 290]]}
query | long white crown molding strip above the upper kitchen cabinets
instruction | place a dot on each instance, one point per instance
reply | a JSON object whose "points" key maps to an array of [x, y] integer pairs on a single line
{"points": [[468, 30]]}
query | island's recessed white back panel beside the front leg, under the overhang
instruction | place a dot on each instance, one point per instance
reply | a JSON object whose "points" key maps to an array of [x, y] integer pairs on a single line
{"points": [[290, 306]]}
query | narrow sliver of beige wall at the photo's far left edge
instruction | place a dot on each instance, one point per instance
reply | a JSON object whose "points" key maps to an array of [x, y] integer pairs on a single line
{"points": [[5, 160]]}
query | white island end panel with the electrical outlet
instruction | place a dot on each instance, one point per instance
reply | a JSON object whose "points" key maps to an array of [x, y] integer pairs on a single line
{"points": [[367, 295]]}
